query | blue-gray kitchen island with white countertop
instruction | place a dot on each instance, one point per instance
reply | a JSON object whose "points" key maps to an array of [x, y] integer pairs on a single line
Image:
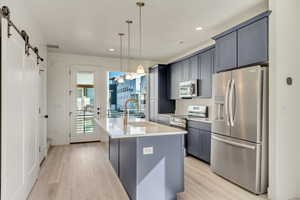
{"points": [[148, 157]]}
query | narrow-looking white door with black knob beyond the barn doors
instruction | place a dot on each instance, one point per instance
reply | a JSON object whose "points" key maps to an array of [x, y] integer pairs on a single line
{"points": [[42, 113]]}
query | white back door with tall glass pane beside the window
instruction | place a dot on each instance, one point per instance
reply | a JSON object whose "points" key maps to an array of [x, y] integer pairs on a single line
{"points": [[85, 106]]}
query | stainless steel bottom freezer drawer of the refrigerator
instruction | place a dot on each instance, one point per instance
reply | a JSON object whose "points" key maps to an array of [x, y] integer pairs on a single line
{"points": [[238, 161]]}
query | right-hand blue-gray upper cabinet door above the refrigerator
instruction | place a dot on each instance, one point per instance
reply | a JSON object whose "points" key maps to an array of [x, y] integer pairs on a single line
{"points": [[253, 43]]}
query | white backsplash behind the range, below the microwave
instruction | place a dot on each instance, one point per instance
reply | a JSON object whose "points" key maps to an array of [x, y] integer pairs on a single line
{"points": [[182, 105]]}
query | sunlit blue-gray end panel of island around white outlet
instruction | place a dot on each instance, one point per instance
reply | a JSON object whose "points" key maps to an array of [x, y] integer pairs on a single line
{"points": [[160, 175]]}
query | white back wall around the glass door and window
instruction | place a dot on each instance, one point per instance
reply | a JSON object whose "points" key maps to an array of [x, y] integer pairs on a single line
{"points": [[58, 86]]}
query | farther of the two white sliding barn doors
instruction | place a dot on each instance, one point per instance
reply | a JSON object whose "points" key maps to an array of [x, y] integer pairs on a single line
{"points": [[30, 120]]}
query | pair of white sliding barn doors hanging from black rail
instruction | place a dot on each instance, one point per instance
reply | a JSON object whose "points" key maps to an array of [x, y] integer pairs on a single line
{"points": [[19, 117]]}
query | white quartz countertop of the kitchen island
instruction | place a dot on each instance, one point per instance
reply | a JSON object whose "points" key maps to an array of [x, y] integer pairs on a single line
{"points": [[136, 128]]}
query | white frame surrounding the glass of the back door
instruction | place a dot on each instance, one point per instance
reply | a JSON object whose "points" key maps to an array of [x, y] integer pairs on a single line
{"points": [[72, 81]]}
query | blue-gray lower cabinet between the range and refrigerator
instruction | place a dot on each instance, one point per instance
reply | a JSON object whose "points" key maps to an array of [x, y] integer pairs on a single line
{"points": [[199, 140]]}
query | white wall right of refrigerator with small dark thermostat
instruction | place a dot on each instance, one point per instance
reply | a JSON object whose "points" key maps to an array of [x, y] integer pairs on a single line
{"points": [[284, 99]]}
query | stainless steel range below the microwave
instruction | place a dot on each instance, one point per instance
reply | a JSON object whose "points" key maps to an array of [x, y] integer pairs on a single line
{"points": [[192, 112]]}
